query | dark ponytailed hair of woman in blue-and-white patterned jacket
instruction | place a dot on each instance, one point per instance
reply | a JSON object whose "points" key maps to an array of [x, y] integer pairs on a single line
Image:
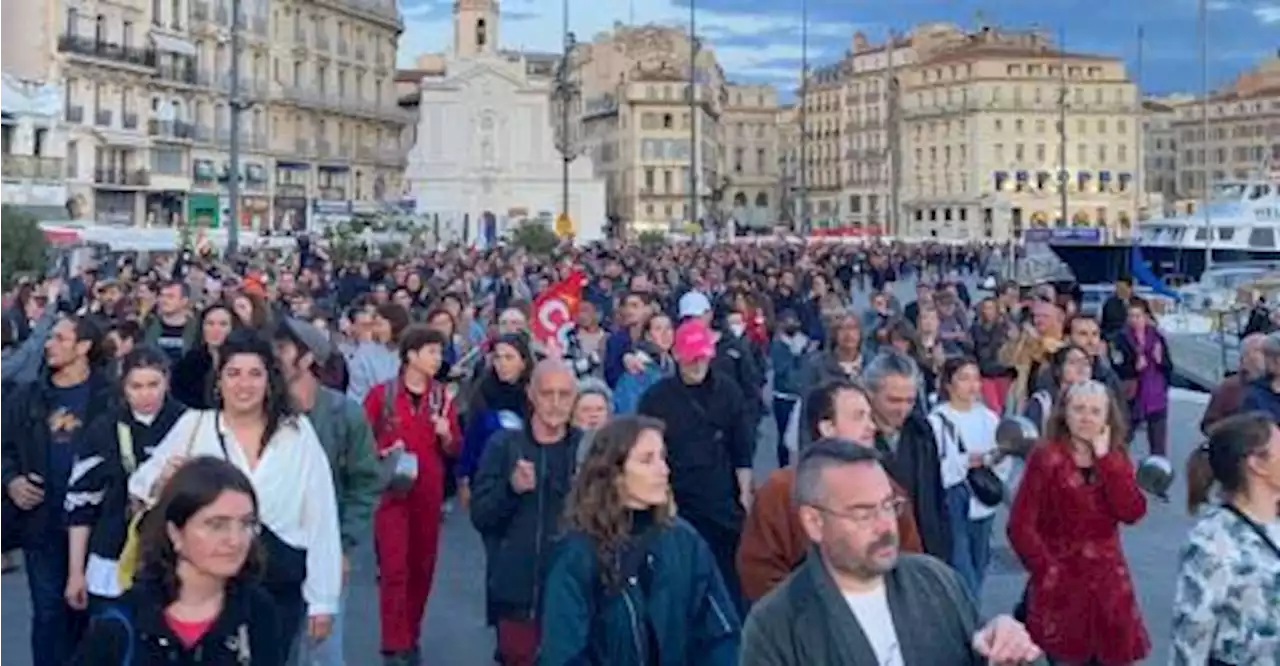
{"points": [[1222, 460]]}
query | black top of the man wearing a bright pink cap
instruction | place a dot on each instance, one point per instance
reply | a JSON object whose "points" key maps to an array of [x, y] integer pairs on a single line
{"points": [[710, 436]]}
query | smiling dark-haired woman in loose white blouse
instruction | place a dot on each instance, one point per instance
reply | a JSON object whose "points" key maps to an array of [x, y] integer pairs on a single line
{"points": [[255, 430]]}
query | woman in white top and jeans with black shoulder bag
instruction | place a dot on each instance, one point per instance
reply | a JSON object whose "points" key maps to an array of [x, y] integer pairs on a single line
{"points": [[966, 434]]}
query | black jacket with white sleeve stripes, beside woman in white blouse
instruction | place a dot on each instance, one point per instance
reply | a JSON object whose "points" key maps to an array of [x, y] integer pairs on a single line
{"points": [[98, 495]]}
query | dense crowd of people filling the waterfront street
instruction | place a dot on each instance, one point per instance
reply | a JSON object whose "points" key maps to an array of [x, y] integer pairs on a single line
{"points": [[193, 453]]}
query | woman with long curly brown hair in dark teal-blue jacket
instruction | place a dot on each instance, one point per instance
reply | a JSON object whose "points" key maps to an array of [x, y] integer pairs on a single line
{"points": [[633, 585]]}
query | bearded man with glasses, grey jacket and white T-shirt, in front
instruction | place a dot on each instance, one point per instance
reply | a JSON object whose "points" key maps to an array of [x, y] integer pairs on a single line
{"points": [[856, 599]]}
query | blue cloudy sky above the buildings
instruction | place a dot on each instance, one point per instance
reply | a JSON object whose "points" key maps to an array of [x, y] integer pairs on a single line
{"points": [[761, 42]]}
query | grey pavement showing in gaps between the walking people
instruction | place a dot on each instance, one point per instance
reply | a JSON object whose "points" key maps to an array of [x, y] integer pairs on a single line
{"points": [[455, 635]]}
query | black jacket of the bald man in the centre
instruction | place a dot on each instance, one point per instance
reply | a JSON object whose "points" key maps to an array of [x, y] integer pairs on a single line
{"points": [[519, 531]]}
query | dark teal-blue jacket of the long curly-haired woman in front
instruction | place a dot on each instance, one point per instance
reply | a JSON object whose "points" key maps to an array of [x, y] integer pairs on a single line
{"points": [[687, 606]]}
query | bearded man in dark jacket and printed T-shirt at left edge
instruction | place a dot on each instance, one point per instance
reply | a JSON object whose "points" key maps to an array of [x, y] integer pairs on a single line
{"points": [[40, 432]]}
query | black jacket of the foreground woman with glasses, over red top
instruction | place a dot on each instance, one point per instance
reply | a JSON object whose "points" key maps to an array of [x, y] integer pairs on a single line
{"points": [[246, 633]]}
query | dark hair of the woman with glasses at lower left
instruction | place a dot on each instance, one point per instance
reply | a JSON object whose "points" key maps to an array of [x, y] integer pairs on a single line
{"points": [[195, 486]]}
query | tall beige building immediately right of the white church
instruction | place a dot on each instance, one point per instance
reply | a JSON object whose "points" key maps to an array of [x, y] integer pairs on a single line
{"points": [[638, 122]]}
